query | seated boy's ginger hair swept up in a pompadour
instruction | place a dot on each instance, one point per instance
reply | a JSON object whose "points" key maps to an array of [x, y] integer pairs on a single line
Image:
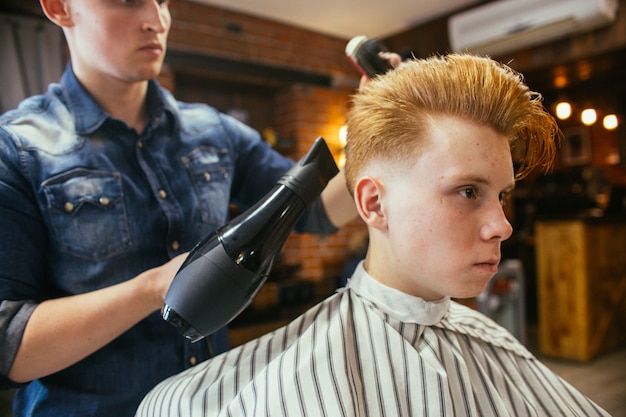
{"points": [[390, 116]]}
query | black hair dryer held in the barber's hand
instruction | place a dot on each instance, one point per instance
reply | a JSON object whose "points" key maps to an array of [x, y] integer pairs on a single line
{"points": [[223, 273]]}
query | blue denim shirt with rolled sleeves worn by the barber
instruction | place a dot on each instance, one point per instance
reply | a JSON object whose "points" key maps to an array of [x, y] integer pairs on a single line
{"points": [[86, 202]]}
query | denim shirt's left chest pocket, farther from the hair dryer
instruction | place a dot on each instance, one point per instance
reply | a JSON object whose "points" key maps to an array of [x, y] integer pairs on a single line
{"points": [[87, 213]]}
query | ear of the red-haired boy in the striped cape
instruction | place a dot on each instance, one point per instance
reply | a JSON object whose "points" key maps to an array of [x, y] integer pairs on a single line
{"points": [[368, 196]]}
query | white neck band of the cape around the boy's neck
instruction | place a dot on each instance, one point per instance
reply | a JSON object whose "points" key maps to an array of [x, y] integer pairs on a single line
{"points": [[397, 304]]}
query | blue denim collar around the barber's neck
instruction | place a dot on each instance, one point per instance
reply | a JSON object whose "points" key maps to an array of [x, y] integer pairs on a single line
{"points": [[89, 116]]}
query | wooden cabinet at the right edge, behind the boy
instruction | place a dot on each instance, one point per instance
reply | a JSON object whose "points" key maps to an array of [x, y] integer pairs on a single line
{"points": [[581, 283]]}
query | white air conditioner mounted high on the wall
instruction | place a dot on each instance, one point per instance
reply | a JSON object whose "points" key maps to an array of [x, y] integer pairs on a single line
{"points": [[504, 26]]}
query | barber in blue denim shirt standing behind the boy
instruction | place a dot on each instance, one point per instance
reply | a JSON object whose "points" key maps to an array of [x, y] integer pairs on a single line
{"points": [[106, 181]]}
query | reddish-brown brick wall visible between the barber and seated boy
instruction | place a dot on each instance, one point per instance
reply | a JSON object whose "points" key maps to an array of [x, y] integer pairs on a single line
{"points": [[303, 112]]}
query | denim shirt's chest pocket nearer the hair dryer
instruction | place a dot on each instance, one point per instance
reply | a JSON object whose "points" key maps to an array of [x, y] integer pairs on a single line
{"points": [[209, 169]]}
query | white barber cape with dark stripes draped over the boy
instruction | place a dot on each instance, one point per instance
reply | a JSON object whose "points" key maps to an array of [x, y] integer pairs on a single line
{"points": [[370, 350]]}
